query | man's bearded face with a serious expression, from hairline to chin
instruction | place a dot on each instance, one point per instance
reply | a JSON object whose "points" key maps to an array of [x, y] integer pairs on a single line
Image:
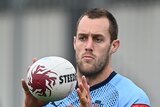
{"points": [[92, 46]]}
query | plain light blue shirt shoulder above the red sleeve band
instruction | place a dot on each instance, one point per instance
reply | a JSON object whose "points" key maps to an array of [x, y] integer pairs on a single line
{"points": [[128, 91]]}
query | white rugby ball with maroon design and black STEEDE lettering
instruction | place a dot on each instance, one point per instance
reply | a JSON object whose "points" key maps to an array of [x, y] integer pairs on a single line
{"points": [[51, 78]]}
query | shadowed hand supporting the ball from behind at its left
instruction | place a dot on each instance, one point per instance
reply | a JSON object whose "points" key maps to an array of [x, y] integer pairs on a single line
{"points": [[31, 101]]}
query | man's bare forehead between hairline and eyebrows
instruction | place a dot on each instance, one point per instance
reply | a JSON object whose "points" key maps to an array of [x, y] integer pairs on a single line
{"points": [[93, 25]]}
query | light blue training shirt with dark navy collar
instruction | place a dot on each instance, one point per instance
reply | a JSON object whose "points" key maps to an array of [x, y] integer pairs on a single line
{"points": [[115, 91]]}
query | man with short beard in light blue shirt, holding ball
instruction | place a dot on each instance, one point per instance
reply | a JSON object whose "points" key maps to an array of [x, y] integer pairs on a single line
{"points": [[98, 84]]}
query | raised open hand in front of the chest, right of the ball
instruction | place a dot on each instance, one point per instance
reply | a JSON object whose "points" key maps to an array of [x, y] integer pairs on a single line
{"points": [[84, 93]]}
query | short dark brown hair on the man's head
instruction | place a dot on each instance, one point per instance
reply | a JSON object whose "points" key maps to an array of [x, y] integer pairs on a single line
{"points": [[99, 13]]}
